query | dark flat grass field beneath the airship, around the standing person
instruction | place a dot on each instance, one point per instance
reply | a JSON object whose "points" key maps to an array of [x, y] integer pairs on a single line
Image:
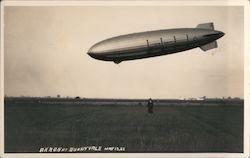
{"points": [[194, 126]]}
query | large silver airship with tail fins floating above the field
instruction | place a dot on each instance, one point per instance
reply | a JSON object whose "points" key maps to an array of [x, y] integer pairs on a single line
{"points": [[155, 43]]}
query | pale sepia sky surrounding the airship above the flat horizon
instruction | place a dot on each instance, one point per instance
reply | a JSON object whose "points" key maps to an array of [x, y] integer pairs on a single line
{"points": [[45, 53]]}
